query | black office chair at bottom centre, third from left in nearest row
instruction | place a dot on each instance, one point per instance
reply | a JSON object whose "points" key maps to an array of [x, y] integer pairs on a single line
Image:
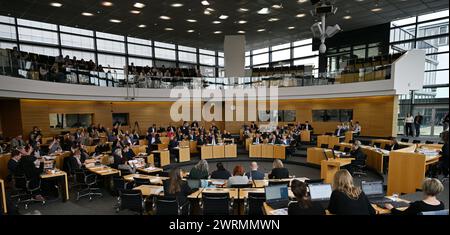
{"points": [[216, 204]]}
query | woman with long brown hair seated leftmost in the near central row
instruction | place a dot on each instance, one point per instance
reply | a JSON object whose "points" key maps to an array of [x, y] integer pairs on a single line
{"points": [[175, 186]]}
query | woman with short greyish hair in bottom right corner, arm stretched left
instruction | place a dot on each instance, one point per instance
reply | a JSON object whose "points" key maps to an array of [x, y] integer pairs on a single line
{"points": [[431, 188]]}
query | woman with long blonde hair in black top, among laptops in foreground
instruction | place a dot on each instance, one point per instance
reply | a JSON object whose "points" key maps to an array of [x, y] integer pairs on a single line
{"points": [[347, 199]]}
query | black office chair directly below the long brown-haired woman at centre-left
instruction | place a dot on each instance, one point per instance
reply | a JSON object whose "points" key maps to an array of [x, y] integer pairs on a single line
{"points": [[163, 205]]}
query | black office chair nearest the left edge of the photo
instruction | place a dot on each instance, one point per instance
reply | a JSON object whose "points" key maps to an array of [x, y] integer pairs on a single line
{"points": [[26, 190]]}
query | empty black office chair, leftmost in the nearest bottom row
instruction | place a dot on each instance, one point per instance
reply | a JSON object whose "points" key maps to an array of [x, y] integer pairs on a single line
{"points": [[131, 200]]}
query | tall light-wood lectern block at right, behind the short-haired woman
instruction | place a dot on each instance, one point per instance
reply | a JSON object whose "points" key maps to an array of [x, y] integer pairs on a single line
{"points": [[407, 170]]}
